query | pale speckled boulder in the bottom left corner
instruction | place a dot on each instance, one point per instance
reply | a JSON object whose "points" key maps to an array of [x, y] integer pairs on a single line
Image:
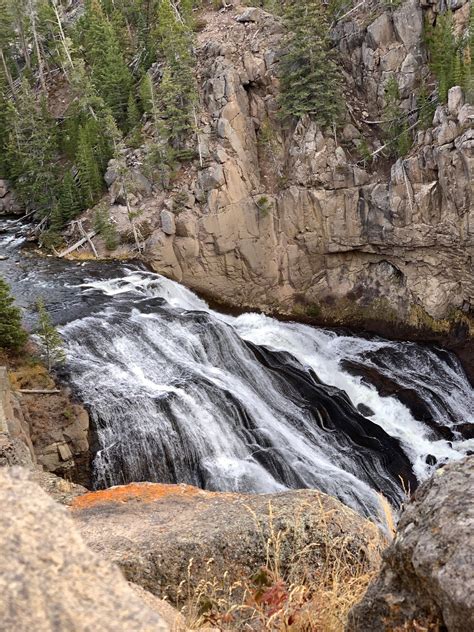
{"points": [[50, 580]]}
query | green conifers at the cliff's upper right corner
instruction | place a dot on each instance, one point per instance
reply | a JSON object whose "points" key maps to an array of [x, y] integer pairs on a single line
{"points": [[451, 58]]}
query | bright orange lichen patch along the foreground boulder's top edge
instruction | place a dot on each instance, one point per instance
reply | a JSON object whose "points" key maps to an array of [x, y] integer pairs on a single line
{"points": [[141, 492]]}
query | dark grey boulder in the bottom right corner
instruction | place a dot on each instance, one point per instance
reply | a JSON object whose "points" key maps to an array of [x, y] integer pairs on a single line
{"points": [[427, 578]]}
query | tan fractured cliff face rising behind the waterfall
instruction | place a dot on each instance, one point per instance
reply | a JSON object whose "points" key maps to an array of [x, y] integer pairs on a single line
{"points": [[296, 220]]}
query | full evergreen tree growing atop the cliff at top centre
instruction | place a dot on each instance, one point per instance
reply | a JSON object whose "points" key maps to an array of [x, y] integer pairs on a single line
{"points": [[310, 80]]}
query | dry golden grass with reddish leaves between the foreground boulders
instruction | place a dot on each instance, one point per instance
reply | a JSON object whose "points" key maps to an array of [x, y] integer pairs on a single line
{"points": [[296, 590]]}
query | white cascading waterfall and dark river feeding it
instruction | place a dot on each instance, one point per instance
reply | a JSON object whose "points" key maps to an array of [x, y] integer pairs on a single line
{"points": [[179, 392]]}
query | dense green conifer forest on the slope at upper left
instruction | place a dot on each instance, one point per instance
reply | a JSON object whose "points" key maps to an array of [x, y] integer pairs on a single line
{"points": [[103, 63]]}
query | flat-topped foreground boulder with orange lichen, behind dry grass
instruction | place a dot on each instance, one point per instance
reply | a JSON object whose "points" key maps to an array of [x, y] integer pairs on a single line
{"points": [[163, 535]]}
